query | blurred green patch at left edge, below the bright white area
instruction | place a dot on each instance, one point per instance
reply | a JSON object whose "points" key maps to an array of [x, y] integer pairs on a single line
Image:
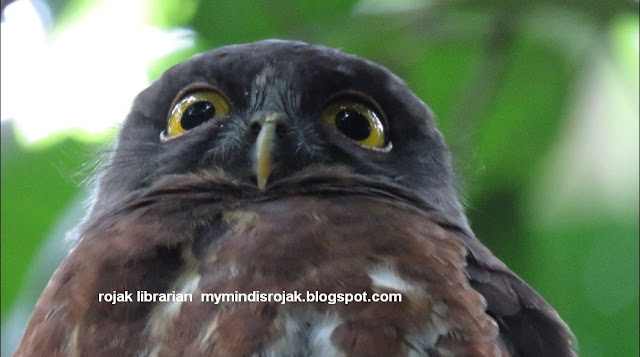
{"points": [[37, 186]]}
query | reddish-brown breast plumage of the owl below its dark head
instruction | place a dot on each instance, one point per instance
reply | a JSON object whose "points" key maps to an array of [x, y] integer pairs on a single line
{"points": [[328, 244]]}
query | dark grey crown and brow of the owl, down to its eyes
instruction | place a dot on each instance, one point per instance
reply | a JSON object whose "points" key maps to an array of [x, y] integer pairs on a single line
{"points": [[293, 77]]}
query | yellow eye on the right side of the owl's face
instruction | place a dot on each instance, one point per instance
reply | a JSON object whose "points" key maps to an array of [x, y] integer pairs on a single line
{"points": [[356, 121]]}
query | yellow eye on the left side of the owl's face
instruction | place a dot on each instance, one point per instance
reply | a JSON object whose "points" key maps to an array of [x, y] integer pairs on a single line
{"points": [[194, 109]]}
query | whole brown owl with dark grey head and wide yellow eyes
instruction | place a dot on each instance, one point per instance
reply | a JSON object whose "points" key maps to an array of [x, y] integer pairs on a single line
{"points": [[285, 172]]}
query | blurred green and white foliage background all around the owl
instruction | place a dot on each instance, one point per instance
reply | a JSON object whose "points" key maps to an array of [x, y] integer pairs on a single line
{"points": [[538, 101]]}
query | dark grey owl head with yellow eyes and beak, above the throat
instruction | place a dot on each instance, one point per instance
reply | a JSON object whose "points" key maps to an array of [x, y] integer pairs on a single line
{"points": [[264, 112]]}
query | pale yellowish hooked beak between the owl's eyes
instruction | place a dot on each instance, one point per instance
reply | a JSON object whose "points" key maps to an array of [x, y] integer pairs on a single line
{"points": [[264, 146]]}
